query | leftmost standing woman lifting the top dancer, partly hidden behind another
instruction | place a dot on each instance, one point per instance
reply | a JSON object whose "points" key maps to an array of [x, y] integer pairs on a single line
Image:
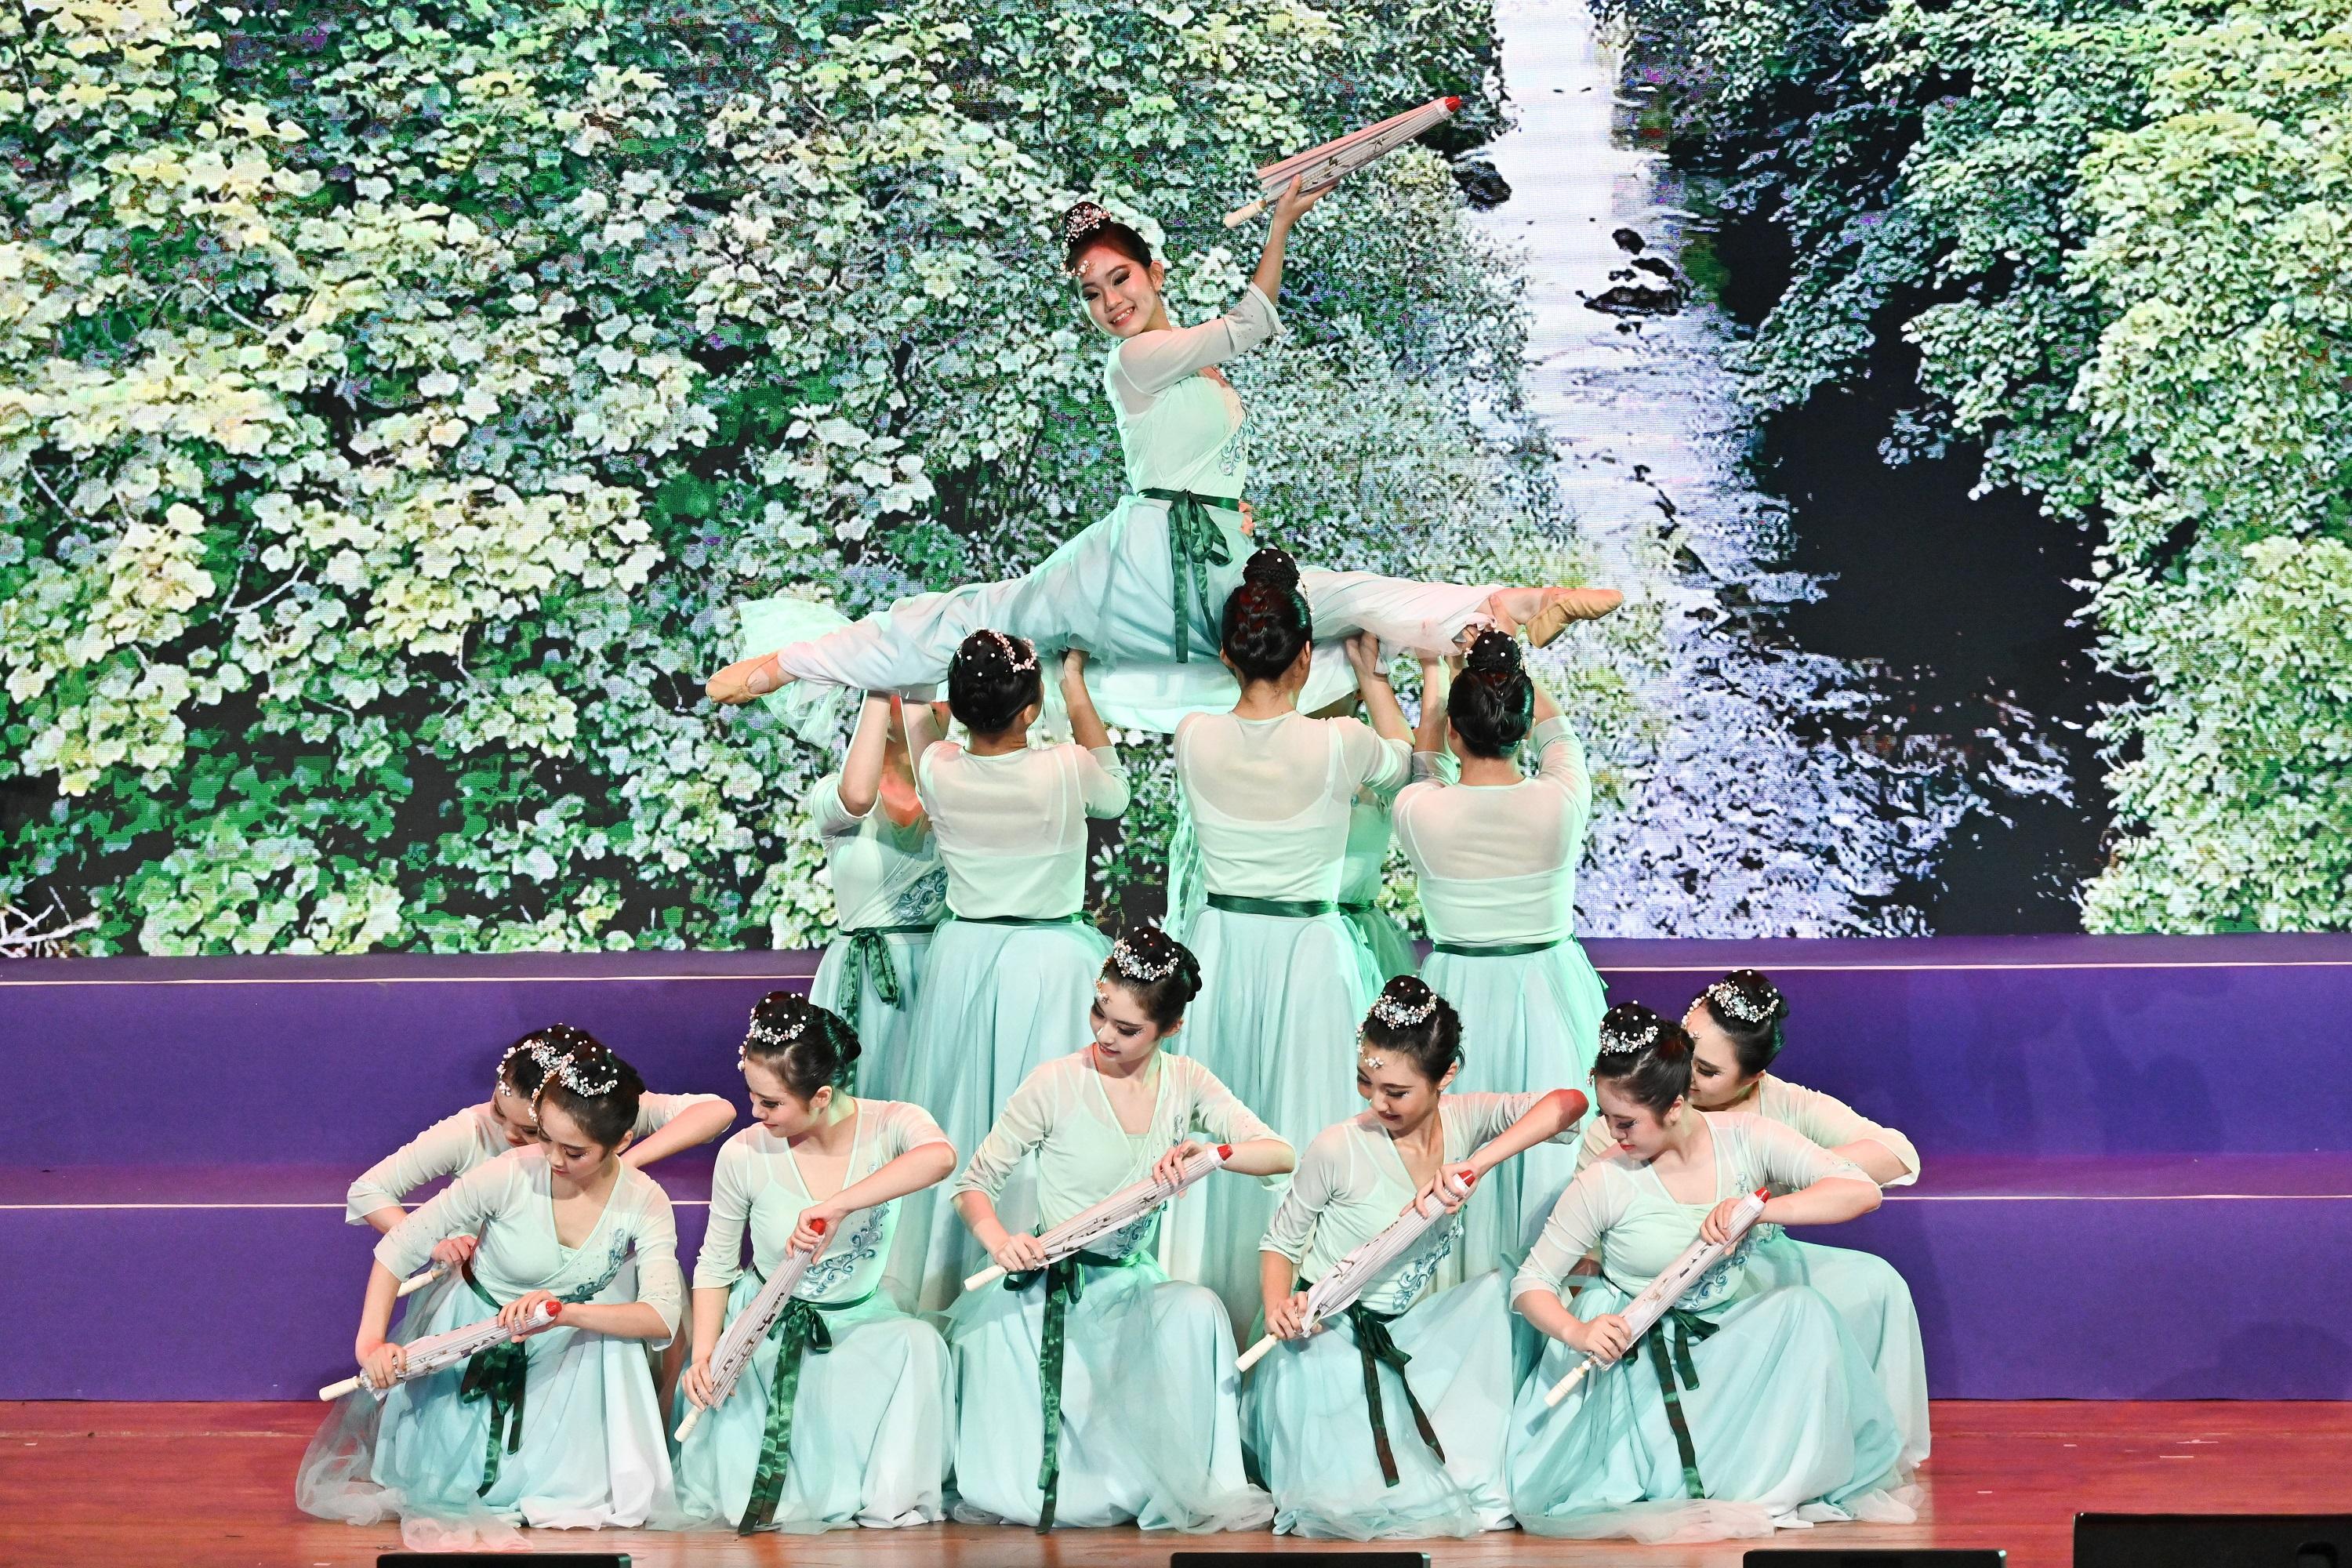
{"points": [[888, 890]]}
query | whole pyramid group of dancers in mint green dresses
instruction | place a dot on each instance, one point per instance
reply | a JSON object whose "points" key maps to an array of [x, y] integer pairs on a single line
{"points": [[977, 1066]]}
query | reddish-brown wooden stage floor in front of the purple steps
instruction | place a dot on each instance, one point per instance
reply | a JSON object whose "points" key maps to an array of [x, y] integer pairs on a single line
{"points": [[211, 1487]]}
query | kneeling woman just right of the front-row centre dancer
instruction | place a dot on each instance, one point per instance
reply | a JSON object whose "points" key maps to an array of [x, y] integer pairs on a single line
{"points": [[1426, 1374]]}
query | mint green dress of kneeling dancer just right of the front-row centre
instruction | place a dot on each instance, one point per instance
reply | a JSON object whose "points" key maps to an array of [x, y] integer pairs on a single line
{"points": [[1307, 1416]]}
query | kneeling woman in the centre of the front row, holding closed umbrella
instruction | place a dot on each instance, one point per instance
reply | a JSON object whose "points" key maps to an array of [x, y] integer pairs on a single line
{"points": [[1095, 1391]]}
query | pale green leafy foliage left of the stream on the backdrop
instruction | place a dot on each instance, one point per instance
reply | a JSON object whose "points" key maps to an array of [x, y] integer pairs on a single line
{"points": [[396, 401]]}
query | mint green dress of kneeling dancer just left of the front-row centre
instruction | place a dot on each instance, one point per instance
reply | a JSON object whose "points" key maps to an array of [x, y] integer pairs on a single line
{"points": [[871, 1428]]}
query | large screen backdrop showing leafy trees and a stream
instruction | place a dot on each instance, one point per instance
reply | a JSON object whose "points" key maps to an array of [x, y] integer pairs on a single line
{"points": [[396, 401]]}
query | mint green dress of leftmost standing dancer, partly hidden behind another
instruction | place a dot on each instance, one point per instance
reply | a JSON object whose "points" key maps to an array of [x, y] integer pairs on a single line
{"points": [[890, 892]]}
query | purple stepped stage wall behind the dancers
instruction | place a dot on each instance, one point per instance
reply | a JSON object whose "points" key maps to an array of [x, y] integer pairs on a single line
{"points": [[2137, 1179]]}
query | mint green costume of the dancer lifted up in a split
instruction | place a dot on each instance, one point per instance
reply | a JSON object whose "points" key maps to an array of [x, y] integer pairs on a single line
{"points": [[1118, 587]]}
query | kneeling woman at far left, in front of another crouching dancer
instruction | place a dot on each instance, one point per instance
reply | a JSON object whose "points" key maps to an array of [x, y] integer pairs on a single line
{"points": [[554, 1430]]}
